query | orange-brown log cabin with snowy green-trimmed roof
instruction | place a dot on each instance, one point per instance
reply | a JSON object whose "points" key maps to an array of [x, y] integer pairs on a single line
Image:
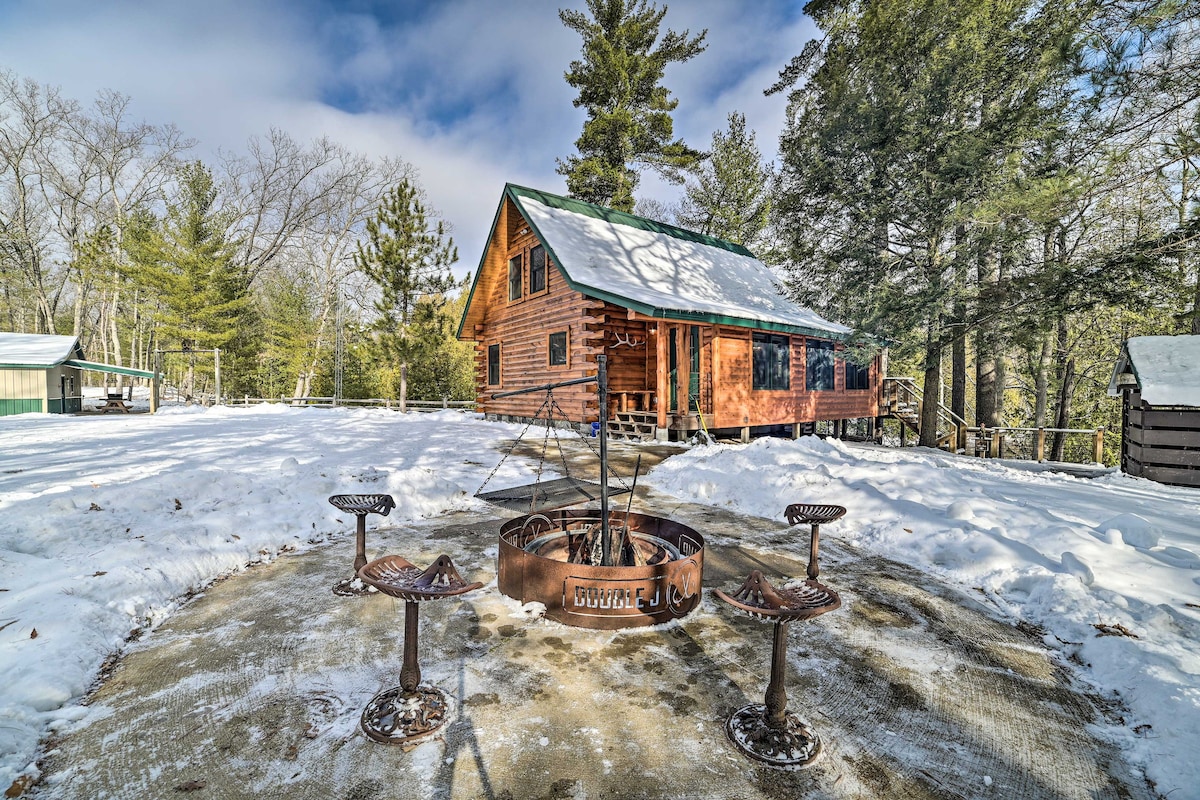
{"points": [[697, 332]]}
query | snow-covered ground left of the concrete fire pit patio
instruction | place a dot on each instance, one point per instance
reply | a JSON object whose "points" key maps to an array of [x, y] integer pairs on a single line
{"points": [[106, 524]]}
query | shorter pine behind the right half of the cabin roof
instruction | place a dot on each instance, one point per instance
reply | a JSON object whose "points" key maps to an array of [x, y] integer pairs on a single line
{"points": [[730, 195]]}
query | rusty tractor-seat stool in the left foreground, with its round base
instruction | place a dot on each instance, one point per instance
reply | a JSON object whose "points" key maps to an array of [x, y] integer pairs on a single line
{"points": [[411, 713]]}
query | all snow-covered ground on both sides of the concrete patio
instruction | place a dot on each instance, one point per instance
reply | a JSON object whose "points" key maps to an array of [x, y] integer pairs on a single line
{"points": [[106, 524]]}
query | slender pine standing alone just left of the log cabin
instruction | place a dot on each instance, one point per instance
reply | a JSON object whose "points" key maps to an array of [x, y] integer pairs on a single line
{"points": [[409, 257]]}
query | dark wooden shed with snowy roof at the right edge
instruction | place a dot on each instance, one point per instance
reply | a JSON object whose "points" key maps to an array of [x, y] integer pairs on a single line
{"points": [[1159, 382]]}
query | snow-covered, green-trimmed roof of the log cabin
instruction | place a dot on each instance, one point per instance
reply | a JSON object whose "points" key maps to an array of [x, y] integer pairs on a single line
{"points": [[664, 272]]}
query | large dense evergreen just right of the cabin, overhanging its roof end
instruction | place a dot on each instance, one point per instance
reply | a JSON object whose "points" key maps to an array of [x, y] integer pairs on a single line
{"points": [[909, 119]]}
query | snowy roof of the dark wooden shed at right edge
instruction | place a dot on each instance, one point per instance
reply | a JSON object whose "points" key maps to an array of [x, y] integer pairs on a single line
{"points": [[1167, 368]]}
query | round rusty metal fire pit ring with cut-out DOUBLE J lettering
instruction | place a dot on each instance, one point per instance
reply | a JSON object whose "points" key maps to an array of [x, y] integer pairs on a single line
{"points": [[658, 580]]}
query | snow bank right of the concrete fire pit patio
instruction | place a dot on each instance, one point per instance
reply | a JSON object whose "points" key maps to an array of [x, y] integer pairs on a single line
{"points": [[1065, 554]]}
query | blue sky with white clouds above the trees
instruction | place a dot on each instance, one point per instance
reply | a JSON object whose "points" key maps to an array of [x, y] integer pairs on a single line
{"points": [[470, 92]]}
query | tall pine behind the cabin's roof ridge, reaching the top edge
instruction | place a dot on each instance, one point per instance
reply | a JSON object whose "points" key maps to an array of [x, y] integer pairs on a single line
{"points": [[629, 121]]}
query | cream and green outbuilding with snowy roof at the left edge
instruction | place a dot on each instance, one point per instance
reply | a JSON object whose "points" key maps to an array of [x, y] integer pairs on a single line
{"points": [[43, 374]]}
